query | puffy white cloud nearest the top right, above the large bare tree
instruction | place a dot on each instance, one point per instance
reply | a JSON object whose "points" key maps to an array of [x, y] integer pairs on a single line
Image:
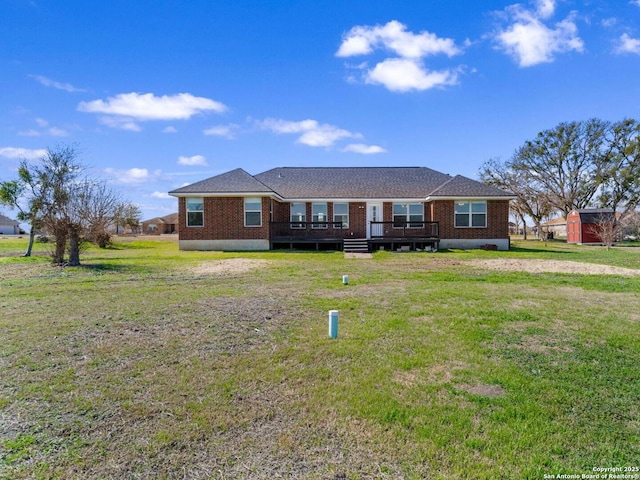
{"points": [[529, 41]]}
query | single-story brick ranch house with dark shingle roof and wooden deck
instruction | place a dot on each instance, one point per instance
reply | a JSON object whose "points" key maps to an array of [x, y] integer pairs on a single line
{"points": [[362, 208]]}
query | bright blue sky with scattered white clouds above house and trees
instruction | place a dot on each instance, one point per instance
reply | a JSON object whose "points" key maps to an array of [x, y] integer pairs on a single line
{"points": [[159, 94]]}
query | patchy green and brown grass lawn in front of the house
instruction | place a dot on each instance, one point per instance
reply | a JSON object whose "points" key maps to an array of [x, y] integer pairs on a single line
{"points": [[149, 362]]}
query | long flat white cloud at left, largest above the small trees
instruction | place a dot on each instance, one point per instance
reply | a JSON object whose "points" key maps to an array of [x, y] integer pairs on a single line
{"points": [[127, 108]]}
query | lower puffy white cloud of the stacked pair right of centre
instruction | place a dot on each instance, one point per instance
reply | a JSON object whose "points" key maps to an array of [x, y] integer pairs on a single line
{"points": [[403, 75]]}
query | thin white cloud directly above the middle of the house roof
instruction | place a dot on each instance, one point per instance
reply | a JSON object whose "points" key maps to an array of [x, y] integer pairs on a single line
{"points": [[312, 133]]}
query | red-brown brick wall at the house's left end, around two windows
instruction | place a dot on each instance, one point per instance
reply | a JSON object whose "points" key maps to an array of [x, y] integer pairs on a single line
{"points": [[223, 219]]}
